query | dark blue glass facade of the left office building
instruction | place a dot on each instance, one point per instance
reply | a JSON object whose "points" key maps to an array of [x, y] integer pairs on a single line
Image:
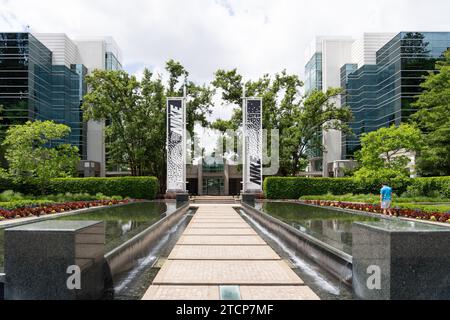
{"points": [[31, 88]]}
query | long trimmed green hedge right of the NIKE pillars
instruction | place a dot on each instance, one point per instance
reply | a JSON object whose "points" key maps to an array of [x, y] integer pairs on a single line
{"points": [[296, 187]]}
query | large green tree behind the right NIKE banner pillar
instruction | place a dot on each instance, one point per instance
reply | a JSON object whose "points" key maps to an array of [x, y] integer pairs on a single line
{"points": [[297, 118]]}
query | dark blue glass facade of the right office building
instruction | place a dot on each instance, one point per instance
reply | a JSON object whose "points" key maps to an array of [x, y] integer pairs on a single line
{"points": [[381, 95]]}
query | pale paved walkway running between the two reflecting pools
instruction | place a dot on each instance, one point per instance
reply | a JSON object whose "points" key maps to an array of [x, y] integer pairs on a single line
{"points": [[220, 253]]}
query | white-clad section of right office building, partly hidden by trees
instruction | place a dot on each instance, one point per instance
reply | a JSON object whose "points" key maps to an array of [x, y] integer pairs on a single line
{"points": [[331, 62]]}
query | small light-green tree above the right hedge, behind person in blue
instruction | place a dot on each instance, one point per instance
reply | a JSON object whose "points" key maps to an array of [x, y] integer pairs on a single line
{"points": [[382, 155]]}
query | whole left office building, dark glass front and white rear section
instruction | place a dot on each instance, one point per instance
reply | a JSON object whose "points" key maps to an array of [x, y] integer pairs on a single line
{"points": [[42, 78]]}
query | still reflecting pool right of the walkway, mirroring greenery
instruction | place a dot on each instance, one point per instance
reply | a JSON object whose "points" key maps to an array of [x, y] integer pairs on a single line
{"points": [[327, 225]]}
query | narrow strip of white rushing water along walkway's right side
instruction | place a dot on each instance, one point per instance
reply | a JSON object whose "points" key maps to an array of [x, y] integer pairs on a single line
{"points": [[308, 269]]}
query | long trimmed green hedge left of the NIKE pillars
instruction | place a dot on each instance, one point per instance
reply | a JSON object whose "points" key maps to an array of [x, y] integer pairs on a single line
{"points": [[132, 187]]}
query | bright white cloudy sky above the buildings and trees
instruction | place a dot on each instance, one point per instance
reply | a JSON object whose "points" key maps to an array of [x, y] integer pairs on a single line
{"points": [[255, 36]]}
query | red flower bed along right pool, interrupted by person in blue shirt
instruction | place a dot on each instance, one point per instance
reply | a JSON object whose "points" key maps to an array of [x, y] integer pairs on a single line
{"points": [[408, 213]]}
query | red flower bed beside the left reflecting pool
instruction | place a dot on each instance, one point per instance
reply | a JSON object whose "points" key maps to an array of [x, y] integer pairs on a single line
{"points": [[56, 208]]}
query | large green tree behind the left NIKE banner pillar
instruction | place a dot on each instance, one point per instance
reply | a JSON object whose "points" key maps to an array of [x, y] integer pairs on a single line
{"points": [[135, 114]]}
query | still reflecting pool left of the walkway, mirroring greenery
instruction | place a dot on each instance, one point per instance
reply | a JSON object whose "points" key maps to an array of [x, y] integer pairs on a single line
{"points": [[122, 222]]}
